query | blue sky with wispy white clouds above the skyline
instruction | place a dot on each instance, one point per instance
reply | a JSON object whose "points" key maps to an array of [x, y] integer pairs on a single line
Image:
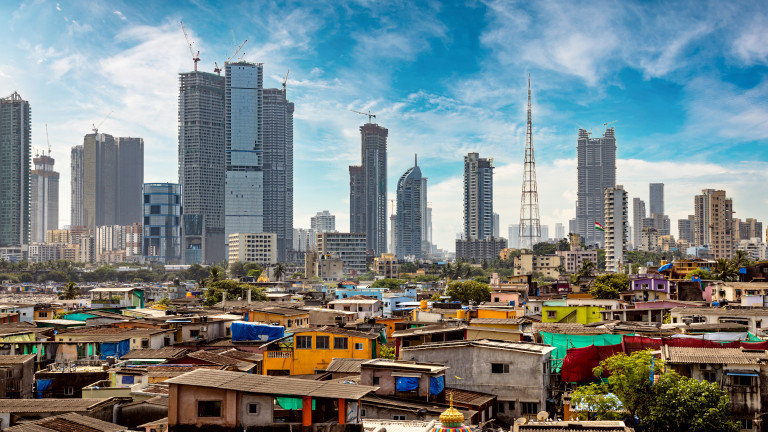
{"points": [[684, 81]]}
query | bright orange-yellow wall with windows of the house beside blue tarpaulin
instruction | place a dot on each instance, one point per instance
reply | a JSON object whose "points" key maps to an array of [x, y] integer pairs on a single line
{"points": [[305, 361]]}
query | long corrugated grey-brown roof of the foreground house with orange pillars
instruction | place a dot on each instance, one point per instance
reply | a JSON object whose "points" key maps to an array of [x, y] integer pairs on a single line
{"points": [[263, 384]]}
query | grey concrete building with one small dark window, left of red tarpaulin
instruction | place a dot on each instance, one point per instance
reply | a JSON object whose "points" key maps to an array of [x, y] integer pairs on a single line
{"points": [[516, 372]]}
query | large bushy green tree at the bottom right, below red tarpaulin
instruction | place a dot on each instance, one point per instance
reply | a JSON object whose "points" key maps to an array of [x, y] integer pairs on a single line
{"points": [[672, 403]]}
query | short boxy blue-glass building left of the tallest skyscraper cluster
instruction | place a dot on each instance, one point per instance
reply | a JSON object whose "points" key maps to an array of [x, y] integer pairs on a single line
{"points": [[162, 223]]}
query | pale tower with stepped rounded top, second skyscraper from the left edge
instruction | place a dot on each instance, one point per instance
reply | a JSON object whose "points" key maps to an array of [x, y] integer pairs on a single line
{"points": [[44, 201]]}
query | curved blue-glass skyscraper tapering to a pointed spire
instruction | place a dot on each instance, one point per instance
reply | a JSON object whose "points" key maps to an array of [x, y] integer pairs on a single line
{"points": [[410, 213]]}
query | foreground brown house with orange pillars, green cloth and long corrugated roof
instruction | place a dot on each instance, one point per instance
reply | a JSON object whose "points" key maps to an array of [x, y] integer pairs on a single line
{"points": [[208, 399]]}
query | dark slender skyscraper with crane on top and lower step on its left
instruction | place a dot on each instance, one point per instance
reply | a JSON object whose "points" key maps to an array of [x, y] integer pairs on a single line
{"points": [[368, 189]]}
